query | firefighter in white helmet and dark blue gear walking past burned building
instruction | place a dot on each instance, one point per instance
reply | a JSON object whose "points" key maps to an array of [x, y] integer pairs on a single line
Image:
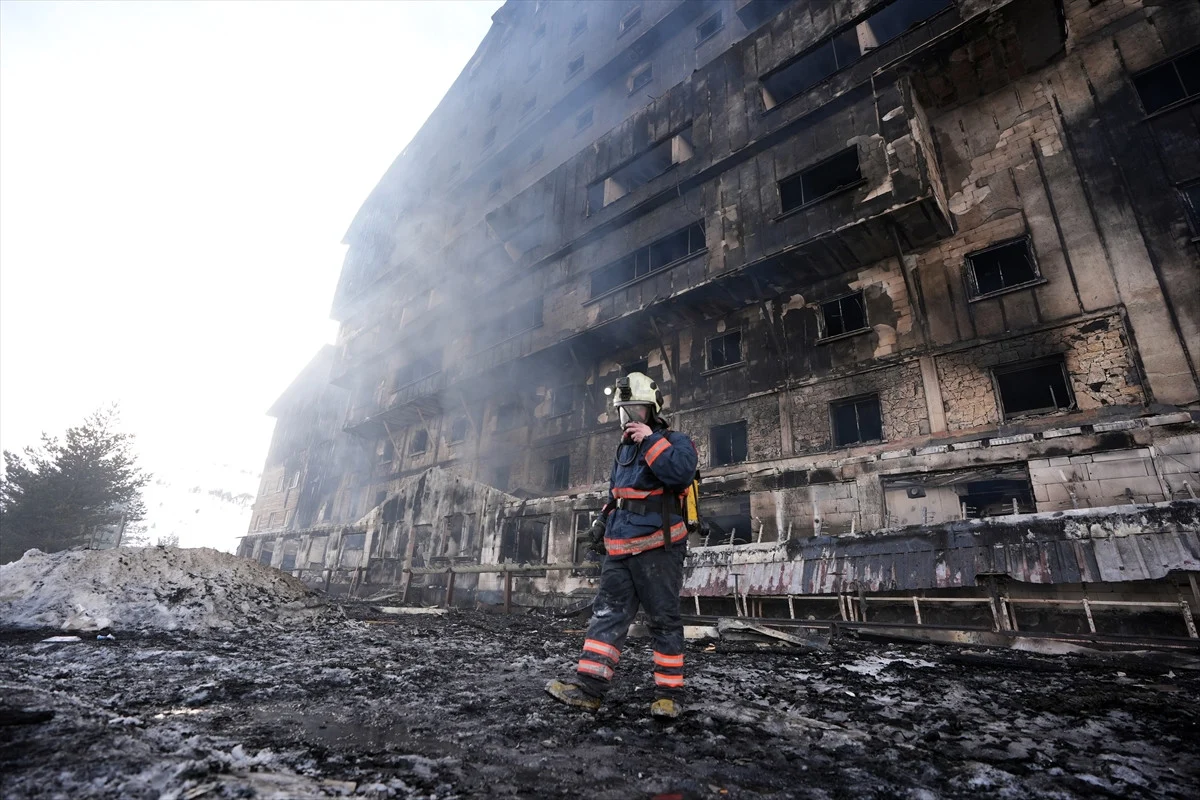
{"points": [[643, 533]]}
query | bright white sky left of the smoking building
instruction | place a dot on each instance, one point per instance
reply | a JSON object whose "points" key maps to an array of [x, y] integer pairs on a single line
{"points": [[176, 179]]}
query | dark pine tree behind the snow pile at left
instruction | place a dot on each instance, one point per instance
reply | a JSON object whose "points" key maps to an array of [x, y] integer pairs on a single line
{"points": [[56, 496]]}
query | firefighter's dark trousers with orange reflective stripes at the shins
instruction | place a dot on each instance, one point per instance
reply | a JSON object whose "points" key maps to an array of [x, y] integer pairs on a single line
{"points": [[651, 580]]}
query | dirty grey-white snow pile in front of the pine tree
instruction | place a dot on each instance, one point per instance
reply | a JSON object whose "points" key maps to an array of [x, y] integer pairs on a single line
{"points": [[164, 588]]}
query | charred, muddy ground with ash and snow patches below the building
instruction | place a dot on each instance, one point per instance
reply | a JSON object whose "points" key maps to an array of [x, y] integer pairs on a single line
{"points": [[427, 707]]}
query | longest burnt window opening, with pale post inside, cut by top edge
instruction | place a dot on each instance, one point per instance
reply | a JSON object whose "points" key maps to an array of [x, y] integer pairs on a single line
{"points": [[847, 47]]}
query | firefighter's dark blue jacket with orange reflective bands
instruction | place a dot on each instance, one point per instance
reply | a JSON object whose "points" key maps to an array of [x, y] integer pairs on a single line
{"points": [[664, 464]]}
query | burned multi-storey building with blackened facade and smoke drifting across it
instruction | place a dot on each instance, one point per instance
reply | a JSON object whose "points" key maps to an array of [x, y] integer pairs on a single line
{"points": [[899, 266]]}
